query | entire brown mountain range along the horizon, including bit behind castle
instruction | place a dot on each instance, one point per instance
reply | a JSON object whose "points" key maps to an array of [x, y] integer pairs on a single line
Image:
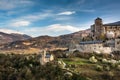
{"points": [[20, 41]]}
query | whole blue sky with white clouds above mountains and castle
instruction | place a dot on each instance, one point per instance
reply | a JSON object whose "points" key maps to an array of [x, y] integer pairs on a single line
{"points": [[54, 17]]}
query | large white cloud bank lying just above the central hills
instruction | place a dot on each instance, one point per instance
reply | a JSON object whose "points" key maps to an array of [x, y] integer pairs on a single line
{"points": [[52, 30]]}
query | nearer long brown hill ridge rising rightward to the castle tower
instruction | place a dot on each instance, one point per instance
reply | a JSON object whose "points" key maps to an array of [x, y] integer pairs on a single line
{"points": [[42, 42]]}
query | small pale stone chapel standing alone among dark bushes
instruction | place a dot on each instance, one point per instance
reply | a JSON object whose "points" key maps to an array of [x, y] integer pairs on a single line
{"points": [[46, 57]]}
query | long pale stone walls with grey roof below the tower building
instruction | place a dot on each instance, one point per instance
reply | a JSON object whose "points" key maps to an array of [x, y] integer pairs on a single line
{"points": [[98, 46]]}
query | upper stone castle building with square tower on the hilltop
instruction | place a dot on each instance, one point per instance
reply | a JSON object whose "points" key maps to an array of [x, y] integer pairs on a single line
{"points": [[99, 29]]}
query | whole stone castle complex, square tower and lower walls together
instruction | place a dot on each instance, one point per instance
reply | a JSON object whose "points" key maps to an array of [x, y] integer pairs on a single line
{"points": [[98, 32]]}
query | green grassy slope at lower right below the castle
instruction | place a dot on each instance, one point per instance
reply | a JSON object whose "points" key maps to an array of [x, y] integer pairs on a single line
{"points": [[88, 69]]}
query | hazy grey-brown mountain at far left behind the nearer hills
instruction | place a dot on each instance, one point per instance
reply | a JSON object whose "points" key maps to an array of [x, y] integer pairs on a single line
{"points": [[5, 38]]}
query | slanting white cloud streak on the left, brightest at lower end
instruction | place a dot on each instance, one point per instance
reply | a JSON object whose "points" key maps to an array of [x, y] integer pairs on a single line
{"points": [[29, 19]]}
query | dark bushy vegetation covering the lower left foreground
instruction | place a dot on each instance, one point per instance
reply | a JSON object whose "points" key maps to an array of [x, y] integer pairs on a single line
{"points": [[28, 67]]}
